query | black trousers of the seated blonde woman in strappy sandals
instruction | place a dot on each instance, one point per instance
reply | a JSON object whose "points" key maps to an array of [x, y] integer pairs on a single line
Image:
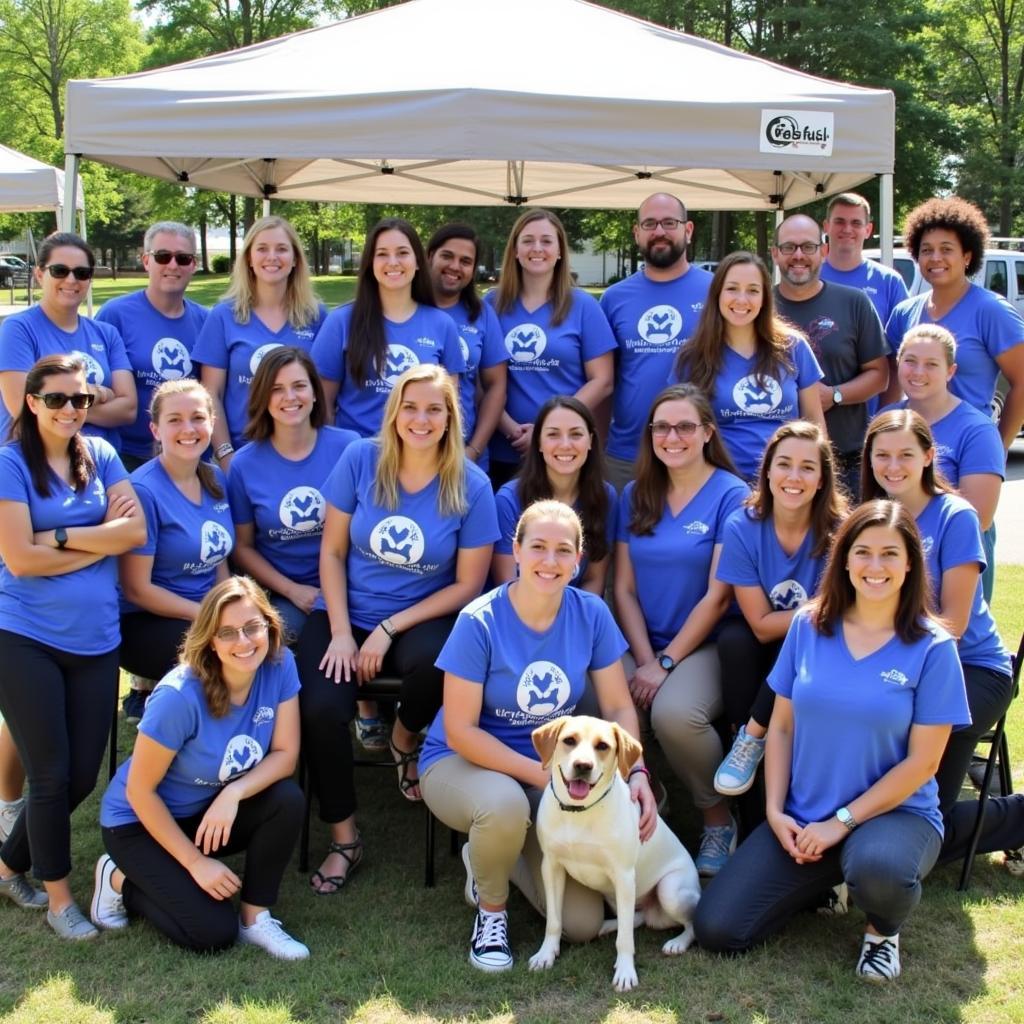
{"points": [[328, 708]]}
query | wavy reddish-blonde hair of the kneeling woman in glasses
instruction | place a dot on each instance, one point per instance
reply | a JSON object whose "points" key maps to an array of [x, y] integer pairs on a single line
{"points": [[197, 649]]}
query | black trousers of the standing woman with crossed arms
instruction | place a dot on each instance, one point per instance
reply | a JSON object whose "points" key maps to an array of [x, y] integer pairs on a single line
{"points": [[59, 708]]}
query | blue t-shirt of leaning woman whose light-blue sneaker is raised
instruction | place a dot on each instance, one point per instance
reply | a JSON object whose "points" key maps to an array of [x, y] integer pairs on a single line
{"points": [[752, 557]]}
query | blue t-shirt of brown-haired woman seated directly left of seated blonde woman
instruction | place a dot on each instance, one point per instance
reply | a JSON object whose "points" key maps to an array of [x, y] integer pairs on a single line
{"points": [[283, 499]]}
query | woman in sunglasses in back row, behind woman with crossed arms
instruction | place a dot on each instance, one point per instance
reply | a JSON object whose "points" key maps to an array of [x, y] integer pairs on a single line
{"points": [[54, 326]]}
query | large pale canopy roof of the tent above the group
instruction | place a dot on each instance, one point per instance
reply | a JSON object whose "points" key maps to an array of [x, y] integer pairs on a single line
{"points": [[554, 102]]}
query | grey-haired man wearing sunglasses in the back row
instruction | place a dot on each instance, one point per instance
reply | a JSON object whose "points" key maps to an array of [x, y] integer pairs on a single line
{"points": [[159, 327]]}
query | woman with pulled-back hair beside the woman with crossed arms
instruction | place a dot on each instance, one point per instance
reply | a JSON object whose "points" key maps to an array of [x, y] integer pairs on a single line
{"points": [[190, 535]]}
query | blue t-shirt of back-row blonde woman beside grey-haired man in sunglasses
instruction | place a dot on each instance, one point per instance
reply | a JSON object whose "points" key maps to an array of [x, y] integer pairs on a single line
{"points": [[239, 350]]}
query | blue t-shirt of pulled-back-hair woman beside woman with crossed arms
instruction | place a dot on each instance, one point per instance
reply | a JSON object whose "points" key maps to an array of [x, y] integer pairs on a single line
{"points": [[187, 541]]}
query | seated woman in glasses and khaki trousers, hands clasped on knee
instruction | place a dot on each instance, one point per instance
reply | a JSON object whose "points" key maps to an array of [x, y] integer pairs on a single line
{"points": [[671, 528]]}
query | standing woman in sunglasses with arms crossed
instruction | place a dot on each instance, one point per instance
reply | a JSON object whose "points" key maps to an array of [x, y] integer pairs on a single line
{"points": [[66, 509]]}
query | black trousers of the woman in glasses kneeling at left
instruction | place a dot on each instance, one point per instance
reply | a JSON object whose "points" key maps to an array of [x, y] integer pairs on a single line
{"points": [[158, 888]]}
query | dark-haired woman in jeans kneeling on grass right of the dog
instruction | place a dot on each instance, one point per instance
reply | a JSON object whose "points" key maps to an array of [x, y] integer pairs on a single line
{"points": [[869, 687]]}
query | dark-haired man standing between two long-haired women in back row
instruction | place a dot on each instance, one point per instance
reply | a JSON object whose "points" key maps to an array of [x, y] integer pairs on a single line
{"points": [[452, 258]]}
